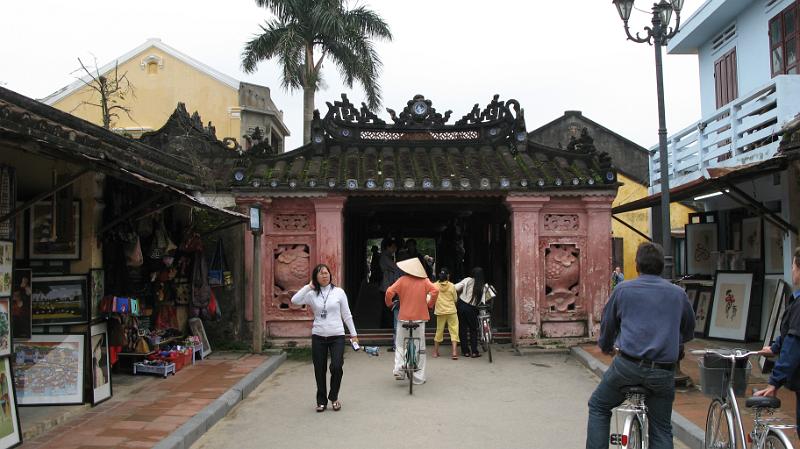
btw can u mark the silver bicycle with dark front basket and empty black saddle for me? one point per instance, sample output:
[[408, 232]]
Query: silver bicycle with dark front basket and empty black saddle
[[724, 429]]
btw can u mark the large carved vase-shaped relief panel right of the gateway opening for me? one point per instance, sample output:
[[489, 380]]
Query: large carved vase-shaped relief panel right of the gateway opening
[[562, 277]]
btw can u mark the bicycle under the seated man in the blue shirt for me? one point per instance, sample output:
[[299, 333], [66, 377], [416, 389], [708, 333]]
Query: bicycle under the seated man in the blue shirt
[[635, 427]]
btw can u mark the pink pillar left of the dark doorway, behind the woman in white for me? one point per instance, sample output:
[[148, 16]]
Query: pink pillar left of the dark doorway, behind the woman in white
[[330, 234]]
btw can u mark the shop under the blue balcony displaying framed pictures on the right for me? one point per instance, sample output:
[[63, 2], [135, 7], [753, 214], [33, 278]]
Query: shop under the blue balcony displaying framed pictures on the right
[[734, 255]]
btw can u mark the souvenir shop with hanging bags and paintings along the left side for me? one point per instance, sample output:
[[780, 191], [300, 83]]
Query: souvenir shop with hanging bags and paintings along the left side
[[103, 269]]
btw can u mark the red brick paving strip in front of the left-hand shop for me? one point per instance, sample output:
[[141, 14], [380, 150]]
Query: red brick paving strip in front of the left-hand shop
[[144, 419]]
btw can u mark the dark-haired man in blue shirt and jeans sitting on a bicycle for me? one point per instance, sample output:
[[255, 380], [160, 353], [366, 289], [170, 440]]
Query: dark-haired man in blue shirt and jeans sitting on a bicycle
[[645, 320]]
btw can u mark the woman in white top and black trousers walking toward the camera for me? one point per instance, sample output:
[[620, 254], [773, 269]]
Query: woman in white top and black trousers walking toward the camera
[[331, 313]]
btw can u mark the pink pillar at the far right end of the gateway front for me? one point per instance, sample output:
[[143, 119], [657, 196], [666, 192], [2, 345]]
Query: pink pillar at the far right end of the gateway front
[[598, 270]]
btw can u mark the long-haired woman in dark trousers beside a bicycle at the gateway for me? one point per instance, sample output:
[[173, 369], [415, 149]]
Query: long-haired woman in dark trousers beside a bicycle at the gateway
[[472, 292]]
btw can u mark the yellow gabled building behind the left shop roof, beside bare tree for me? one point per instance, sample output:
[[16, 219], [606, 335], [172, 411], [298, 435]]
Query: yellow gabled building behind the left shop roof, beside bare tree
[[163, 76]]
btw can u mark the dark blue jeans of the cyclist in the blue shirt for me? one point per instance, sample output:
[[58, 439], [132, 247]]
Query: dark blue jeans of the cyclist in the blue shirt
[[622, 372]]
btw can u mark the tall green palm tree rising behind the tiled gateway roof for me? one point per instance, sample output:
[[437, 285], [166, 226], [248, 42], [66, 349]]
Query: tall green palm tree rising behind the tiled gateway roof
[[302, 26]]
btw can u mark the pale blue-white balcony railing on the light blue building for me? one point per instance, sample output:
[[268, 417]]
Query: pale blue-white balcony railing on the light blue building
[[743, 131]]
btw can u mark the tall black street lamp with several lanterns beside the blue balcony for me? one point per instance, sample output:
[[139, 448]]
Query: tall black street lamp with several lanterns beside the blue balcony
[[658, 36]]
